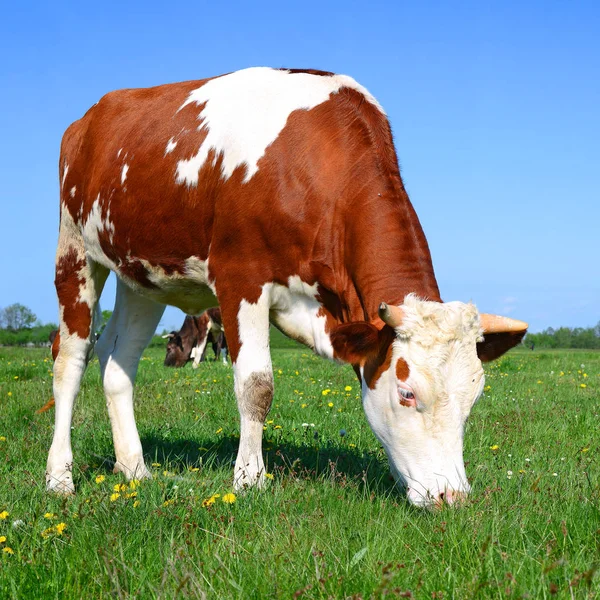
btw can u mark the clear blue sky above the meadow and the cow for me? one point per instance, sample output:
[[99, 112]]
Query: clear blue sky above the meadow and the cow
[[495, 108]]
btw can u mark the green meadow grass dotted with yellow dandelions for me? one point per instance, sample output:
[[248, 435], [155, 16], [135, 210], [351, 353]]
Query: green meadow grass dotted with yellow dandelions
[[330, 523]]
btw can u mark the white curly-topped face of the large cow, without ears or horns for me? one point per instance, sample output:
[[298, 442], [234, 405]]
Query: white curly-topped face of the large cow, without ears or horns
[[418, 406]]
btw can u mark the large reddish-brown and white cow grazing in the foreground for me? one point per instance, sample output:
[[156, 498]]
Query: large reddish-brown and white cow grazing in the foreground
[[275, 193]]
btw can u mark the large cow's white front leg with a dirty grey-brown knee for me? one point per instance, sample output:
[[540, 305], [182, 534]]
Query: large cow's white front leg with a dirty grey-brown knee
[[247, 324]]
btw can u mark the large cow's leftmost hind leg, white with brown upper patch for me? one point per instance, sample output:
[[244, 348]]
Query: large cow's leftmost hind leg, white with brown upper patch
[[79, 282]]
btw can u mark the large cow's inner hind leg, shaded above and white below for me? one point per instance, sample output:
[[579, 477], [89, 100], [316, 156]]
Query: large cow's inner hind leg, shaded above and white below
[[119, 349]]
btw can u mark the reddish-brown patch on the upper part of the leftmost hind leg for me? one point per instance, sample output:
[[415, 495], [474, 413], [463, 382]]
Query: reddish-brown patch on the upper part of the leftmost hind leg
[[77, 315]]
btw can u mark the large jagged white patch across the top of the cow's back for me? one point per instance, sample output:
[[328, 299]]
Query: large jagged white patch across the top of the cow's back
[[245, 112]]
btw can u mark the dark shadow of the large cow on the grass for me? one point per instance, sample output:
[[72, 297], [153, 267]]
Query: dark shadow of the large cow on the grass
[[328, 461]]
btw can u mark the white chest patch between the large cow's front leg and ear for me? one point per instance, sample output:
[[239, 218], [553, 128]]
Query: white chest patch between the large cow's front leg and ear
[[295, 311]]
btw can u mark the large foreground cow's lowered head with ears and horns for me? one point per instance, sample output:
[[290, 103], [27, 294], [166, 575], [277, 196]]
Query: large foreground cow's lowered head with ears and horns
[[421, 374]]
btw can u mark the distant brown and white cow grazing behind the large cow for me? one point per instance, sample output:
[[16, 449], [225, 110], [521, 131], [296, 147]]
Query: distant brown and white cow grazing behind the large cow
[[191, 341]]
